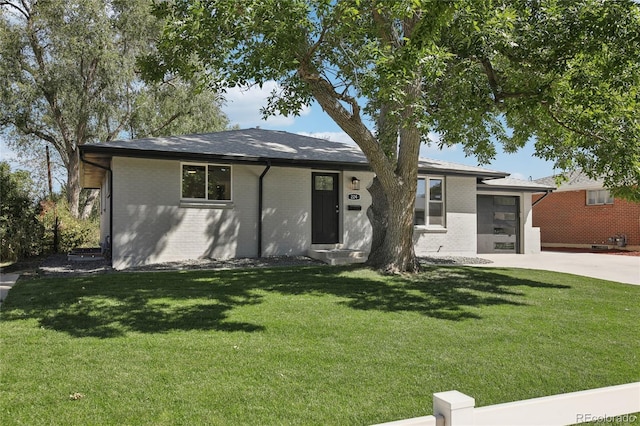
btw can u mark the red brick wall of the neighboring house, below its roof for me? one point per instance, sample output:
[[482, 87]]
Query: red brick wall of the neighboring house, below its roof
[[565, 219]]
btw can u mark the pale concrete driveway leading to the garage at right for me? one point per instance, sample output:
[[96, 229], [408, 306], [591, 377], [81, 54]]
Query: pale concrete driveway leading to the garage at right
[[623, 269]]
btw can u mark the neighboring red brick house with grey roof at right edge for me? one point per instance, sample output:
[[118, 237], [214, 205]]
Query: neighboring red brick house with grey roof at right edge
[[581, 214]]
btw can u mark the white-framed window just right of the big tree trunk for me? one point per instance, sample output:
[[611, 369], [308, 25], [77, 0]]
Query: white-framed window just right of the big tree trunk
[[430, 209]]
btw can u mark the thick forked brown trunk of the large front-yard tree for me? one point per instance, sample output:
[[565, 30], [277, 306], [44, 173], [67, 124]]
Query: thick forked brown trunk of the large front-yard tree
[[394, 187]]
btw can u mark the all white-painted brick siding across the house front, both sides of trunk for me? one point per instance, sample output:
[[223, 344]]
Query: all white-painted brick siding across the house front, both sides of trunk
[[150, 225]]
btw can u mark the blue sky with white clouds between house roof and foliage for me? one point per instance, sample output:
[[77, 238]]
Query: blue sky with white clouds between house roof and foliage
[[243, 109]]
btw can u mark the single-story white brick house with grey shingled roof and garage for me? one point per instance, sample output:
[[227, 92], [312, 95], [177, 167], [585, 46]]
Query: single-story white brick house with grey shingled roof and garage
[[255, 192]]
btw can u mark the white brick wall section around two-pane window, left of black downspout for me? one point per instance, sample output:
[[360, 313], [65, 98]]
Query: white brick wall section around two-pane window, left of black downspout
[[150, 226]]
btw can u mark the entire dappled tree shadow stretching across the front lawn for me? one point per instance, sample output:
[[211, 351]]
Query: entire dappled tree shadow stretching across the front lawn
[[115, 304]]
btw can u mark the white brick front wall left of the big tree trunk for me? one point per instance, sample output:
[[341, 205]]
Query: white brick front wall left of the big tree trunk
[[151, 226]]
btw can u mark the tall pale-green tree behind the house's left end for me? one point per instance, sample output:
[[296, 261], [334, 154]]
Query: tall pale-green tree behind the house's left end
[[71, 78]]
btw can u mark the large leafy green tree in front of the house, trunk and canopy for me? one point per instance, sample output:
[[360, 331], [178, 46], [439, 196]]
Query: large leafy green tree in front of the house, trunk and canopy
[[478, 72]]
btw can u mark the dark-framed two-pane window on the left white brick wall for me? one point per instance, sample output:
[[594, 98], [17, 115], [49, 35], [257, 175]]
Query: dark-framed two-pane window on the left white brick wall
[[206, 182]]
